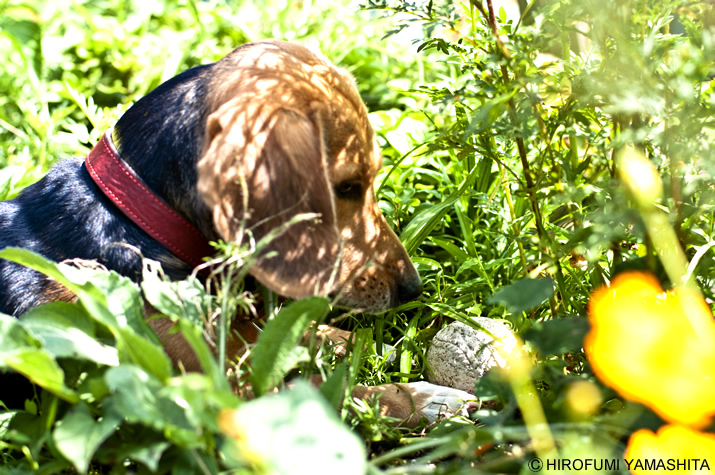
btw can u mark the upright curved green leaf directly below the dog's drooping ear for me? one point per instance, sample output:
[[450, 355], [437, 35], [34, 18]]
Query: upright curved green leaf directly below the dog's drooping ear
[[275, 352]]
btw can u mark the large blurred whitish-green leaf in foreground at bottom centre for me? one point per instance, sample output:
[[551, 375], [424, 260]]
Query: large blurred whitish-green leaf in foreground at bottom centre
[[294, 431]]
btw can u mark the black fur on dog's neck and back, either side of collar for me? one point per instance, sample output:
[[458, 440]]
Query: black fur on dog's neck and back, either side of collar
[[65, 215]]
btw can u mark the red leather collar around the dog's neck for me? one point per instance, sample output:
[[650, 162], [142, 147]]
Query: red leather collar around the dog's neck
[[147, 210]]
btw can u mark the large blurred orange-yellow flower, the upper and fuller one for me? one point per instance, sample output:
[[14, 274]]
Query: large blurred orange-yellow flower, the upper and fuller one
[[643, 343]]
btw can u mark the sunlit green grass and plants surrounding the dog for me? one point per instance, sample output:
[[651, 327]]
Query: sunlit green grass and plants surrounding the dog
[[503, 140]]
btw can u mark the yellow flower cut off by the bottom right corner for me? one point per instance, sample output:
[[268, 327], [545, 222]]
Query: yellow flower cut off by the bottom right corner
[[676, 447]]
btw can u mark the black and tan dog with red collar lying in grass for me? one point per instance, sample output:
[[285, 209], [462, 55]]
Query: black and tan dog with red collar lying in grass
[[270, 132]]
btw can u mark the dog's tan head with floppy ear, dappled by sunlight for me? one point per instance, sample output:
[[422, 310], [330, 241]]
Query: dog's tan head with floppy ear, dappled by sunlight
[[288, 137]]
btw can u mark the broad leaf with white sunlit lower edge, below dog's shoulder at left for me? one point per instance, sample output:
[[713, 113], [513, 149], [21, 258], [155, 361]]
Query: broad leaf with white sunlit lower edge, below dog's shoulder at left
[[67, 332]]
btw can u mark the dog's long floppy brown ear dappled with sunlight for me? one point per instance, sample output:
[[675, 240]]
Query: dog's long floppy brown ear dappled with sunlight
[[274, 161]]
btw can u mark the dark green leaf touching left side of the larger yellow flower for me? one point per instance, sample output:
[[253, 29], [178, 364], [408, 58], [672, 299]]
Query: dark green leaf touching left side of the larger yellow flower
[[559, 336]]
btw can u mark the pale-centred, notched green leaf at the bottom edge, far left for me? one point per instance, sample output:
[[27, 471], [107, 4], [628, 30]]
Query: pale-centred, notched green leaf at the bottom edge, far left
[[79, 435]]
